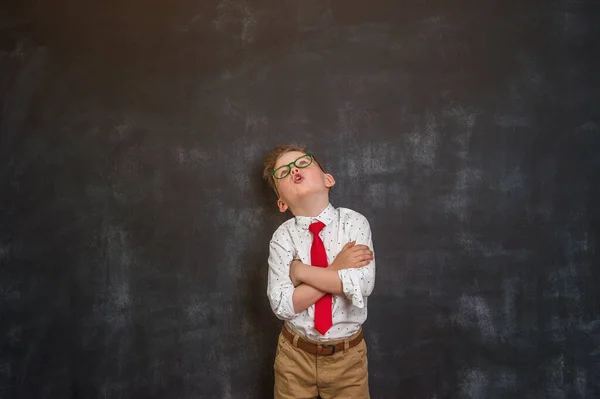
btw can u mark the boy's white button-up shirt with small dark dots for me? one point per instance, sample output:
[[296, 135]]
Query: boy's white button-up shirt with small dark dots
[[292, 240]]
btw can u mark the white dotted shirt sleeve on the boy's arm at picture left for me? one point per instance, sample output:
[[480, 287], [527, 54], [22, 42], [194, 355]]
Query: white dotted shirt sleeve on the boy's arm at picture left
[[280, 287]]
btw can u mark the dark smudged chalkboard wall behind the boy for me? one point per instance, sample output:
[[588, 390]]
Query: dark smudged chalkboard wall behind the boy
[[134, 224]]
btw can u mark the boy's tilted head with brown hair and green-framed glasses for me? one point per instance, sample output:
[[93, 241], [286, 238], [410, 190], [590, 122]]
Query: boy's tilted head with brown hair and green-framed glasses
[[298, 179]]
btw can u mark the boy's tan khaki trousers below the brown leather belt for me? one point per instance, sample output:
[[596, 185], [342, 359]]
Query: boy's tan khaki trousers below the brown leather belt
[[302, 375]]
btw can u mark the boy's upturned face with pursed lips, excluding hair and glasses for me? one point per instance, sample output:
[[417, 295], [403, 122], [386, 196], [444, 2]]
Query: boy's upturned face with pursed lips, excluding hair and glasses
[[302, 183]]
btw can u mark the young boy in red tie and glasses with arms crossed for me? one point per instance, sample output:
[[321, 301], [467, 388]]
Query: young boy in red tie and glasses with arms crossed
[[321, 271]]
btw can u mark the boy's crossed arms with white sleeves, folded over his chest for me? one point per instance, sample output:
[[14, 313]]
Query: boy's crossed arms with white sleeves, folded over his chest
[[294, 286]]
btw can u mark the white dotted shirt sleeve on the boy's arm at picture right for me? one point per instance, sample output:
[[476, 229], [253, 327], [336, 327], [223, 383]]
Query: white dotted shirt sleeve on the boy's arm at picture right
[[358, 283]]
